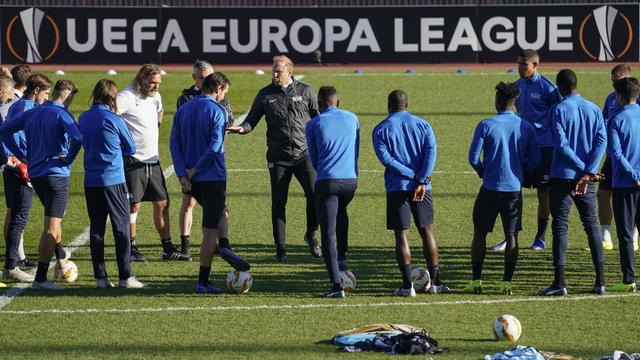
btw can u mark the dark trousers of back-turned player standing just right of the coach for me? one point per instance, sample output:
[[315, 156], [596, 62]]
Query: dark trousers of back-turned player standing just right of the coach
[[332, 198]]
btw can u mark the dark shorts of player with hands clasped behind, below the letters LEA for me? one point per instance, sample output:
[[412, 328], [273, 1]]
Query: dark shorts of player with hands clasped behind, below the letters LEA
[[400, 207]]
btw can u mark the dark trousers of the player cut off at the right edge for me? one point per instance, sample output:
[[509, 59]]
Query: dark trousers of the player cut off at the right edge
[[625, 211]]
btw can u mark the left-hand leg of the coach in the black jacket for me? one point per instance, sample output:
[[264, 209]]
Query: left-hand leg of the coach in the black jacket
[[280, 177]]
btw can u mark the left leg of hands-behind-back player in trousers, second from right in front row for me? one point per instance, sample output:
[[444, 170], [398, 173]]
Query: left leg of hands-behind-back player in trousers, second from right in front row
[[561, 200]]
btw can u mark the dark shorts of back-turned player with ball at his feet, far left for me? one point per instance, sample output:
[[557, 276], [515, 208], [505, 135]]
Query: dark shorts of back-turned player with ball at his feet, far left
[[53, 192]]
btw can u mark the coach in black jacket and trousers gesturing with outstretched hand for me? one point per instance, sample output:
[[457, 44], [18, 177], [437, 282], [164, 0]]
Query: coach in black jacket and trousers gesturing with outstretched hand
[[288, 105]]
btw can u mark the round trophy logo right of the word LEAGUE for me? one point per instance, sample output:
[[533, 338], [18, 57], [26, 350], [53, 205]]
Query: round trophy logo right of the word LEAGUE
[[605, 18]]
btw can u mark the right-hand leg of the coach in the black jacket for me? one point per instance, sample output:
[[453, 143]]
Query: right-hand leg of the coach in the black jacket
[[306, 176]]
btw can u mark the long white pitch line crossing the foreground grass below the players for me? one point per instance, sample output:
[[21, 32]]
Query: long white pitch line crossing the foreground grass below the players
[[317, 306]]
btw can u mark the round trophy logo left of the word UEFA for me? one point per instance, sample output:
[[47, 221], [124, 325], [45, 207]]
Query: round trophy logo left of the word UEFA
[[32, 20]]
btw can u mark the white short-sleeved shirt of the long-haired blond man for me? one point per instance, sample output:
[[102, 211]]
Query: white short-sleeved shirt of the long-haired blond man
[[140, 113]]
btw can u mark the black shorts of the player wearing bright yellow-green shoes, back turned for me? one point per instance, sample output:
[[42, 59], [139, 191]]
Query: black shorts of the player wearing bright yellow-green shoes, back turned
[[490, 203]]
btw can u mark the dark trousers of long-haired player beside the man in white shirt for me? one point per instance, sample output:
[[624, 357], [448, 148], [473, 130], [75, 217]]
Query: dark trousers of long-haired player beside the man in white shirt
[[114, 202]]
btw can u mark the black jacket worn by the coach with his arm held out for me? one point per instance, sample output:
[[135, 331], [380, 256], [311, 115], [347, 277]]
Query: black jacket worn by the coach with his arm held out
[[287, 113]]
